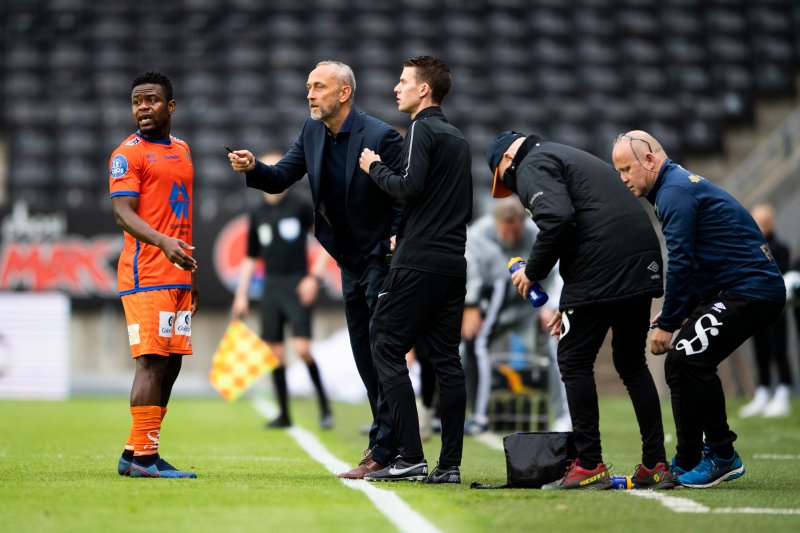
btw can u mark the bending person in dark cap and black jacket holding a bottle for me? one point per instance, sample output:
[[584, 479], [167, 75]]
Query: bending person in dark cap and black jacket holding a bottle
[[612, 268]]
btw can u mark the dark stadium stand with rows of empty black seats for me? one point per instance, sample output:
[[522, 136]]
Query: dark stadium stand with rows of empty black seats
[[577, 72]]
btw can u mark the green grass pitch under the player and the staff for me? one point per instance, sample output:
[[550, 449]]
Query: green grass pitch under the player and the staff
[[58, 473]]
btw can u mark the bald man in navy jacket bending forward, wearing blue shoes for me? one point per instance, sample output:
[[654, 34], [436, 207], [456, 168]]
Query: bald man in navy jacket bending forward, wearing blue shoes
[[723, 284]]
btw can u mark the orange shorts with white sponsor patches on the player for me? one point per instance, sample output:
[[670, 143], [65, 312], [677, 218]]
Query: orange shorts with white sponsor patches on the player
[[159, 322]]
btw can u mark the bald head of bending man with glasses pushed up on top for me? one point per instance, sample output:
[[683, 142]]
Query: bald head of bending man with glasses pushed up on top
[[638, 157]]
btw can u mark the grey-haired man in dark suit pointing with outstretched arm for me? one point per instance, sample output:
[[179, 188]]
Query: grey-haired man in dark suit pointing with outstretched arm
[[353, 218]]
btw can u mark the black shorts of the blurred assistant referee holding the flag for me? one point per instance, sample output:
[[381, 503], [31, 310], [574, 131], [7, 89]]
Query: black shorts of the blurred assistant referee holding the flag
[[279, 305]]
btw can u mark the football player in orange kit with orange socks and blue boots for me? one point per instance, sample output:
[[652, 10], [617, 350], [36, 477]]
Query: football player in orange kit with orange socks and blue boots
[[150, 179]]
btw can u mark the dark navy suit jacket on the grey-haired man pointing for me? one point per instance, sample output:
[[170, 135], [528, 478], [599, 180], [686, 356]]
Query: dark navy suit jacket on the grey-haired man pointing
[[372, 213]]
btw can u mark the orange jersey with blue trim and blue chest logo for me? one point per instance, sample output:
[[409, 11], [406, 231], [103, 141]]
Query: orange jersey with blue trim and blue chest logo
[[160, 174]]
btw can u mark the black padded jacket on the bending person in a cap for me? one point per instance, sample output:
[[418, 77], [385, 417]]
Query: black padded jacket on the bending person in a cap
[[589, 221]]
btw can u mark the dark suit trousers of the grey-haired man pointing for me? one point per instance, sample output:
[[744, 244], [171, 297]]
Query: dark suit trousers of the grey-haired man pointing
[[360, 287]]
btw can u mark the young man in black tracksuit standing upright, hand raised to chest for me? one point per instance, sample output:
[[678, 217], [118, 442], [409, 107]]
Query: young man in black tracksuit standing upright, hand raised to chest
[[422, 301]]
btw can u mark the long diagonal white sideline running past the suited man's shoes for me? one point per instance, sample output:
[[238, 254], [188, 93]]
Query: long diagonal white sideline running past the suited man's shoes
[[399, 513]]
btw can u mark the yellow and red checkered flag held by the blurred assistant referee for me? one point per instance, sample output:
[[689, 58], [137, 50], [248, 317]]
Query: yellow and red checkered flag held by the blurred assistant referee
[[240, 359]]
